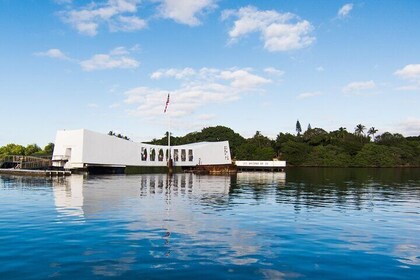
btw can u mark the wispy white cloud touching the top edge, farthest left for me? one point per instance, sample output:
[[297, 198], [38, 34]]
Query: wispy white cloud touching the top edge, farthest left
[[118, 14]]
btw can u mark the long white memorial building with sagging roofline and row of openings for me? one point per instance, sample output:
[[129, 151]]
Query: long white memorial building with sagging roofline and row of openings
[[78, 149]]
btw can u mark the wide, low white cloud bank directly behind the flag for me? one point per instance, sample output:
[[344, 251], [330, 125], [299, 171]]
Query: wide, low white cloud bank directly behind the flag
[[197, 88]]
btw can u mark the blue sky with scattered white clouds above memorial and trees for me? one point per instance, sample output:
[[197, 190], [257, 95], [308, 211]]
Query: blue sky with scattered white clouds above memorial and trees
[[249, 65]]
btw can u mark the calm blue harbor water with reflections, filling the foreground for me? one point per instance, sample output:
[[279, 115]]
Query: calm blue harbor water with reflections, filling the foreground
[[305, 223]]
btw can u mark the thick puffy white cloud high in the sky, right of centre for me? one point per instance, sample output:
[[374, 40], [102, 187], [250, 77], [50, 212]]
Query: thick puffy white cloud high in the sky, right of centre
[[279, 31]]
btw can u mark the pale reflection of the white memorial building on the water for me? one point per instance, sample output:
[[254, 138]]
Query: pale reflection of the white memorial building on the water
[[78, 196]]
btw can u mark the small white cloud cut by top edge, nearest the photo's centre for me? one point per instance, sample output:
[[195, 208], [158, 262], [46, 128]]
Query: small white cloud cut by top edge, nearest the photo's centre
[[185, 11]]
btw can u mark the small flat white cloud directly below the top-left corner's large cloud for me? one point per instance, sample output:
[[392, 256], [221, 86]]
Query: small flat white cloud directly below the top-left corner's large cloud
[[116, 58]]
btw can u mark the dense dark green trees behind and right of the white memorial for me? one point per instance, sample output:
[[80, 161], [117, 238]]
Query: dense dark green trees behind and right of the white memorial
[[315, 146]]
